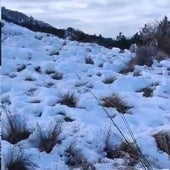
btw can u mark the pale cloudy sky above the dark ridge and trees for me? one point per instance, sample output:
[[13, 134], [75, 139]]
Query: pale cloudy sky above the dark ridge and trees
[[106, 17]]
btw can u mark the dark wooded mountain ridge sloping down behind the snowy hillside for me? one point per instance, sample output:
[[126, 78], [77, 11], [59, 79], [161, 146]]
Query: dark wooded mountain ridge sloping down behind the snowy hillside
[[70, 33]]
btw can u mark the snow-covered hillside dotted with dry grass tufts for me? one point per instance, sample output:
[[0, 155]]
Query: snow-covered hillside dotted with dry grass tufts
[[40, 70]]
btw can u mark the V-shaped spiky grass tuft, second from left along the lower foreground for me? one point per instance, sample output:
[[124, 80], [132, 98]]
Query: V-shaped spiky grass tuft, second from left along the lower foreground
[[46, 140]]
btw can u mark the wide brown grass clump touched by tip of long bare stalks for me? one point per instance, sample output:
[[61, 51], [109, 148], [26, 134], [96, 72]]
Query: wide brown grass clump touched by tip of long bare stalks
[[116, 102]]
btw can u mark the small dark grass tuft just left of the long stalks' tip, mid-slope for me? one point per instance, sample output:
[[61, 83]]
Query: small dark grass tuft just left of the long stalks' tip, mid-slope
[[68, 99]]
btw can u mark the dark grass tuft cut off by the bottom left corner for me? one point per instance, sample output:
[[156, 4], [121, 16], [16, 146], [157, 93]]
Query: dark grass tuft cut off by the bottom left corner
[[17, 160]]
